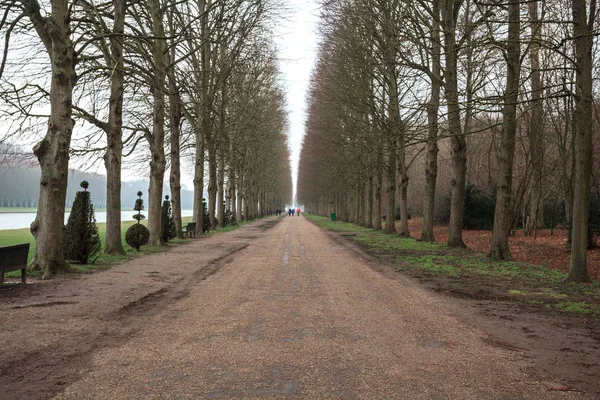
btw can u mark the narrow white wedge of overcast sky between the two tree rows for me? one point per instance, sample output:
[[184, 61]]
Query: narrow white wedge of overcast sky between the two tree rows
[[296, 38]]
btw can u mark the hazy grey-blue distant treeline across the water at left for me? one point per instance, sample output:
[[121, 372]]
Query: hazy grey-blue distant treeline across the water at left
[[20, 187]]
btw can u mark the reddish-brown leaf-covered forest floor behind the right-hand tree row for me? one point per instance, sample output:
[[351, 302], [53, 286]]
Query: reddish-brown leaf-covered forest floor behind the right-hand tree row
[[547, 248]]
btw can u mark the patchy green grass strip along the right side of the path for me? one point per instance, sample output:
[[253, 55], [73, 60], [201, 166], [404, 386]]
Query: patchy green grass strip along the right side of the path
[[468, 272]]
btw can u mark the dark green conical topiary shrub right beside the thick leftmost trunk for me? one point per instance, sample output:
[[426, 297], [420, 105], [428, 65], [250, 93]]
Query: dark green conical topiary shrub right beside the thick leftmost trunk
[[81, 241]]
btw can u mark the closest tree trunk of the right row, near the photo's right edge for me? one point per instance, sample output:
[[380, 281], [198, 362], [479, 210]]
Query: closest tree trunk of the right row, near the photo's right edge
[[583, 28]]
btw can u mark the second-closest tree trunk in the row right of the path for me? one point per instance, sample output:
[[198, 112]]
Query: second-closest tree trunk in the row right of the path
[[500, 249]]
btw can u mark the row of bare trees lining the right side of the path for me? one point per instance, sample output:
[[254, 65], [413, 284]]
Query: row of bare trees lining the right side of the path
[[407, 82]]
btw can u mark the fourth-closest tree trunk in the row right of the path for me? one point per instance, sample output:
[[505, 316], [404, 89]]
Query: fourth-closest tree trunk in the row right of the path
[[431, 165]]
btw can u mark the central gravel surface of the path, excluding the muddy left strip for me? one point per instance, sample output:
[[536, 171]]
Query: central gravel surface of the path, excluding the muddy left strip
[[299, 315]]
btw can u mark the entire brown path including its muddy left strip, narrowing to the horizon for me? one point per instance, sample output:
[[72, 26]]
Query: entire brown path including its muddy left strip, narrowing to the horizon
[[286, 312]]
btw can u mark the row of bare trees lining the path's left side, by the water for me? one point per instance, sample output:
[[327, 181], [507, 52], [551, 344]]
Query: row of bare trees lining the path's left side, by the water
[[168, 83]]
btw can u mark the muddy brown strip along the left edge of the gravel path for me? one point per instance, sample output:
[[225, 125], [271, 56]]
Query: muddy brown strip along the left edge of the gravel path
[[50, 330]]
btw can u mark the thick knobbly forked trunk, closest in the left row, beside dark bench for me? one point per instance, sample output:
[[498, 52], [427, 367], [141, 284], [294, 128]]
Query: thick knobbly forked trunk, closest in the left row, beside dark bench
[[52, 152]]
